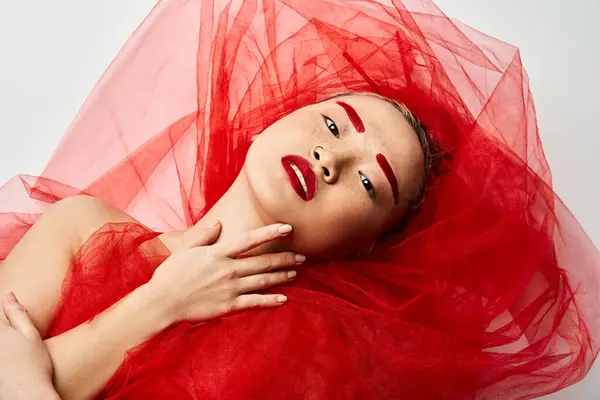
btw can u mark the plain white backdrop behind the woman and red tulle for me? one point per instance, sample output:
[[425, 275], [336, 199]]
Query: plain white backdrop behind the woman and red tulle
[[53, 52]]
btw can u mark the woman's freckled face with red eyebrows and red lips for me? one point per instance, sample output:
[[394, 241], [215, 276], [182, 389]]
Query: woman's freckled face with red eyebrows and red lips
[[340, 172]]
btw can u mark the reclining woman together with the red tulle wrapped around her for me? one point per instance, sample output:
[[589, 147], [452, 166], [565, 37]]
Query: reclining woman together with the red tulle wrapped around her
[[489, 291]]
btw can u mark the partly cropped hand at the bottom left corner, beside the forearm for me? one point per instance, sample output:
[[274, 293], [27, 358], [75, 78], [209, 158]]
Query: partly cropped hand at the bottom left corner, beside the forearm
[[25, 365]]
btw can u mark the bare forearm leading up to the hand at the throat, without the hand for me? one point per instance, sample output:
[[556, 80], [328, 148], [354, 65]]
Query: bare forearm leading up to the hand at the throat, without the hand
[[85, 357]]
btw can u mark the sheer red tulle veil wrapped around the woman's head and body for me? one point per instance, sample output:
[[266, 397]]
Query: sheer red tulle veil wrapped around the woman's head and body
[[490, 291]]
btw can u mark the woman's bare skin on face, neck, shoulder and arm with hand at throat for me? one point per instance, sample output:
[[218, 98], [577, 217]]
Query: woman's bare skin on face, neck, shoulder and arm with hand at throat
[[205, 266]]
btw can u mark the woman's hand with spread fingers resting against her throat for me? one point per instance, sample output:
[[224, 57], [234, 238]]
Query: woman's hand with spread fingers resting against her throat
[[207, 282]]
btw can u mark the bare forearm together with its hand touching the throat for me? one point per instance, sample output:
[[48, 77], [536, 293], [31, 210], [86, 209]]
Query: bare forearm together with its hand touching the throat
[[210, 283]]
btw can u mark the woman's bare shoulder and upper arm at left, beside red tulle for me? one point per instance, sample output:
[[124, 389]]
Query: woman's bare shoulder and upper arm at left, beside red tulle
[[35, 268]]
